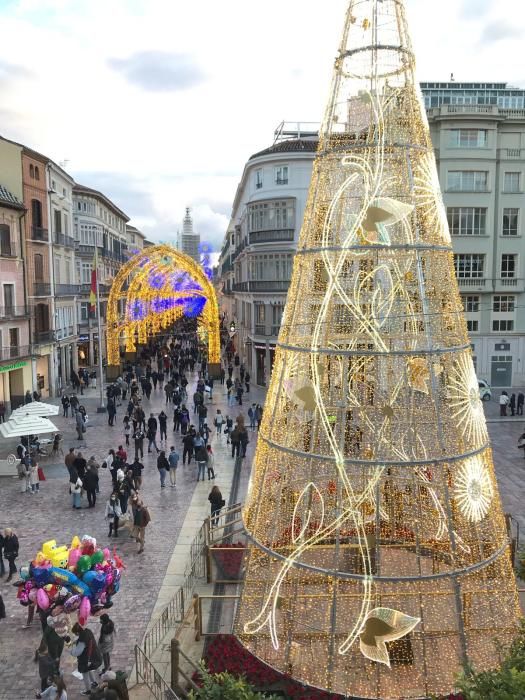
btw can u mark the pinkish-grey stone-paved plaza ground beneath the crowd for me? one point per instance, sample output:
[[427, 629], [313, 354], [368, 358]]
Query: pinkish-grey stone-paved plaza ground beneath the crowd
[[49, 515]]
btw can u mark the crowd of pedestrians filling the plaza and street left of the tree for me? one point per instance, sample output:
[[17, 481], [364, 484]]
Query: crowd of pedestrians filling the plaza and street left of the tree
[[184, 433]]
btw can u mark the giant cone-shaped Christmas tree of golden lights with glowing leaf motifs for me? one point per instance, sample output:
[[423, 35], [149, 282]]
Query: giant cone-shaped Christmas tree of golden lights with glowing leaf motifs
[[379, 557]]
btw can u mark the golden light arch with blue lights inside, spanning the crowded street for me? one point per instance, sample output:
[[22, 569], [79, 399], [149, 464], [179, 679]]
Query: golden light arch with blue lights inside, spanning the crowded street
[[160, 285]]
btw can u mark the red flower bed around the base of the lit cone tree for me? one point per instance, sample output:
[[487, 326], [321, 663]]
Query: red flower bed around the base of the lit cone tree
[[226, 653]]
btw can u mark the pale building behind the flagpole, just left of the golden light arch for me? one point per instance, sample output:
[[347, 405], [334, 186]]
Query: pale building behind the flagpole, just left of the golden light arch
[[98, 224]]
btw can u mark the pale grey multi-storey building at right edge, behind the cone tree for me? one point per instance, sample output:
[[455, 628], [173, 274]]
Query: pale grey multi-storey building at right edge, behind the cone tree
[[478, 131]]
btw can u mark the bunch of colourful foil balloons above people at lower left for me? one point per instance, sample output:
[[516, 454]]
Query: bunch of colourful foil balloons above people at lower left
[[81, 578]]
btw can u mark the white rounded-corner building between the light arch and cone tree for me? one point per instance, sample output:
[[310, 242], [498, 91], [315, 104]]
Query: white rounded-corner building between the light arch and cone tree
[[256, 259]]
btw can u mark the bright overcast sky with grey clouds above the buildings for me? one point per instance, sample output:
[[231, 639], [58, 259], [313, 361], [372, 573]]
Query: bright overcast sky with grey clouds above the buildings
[[159, 103]]
